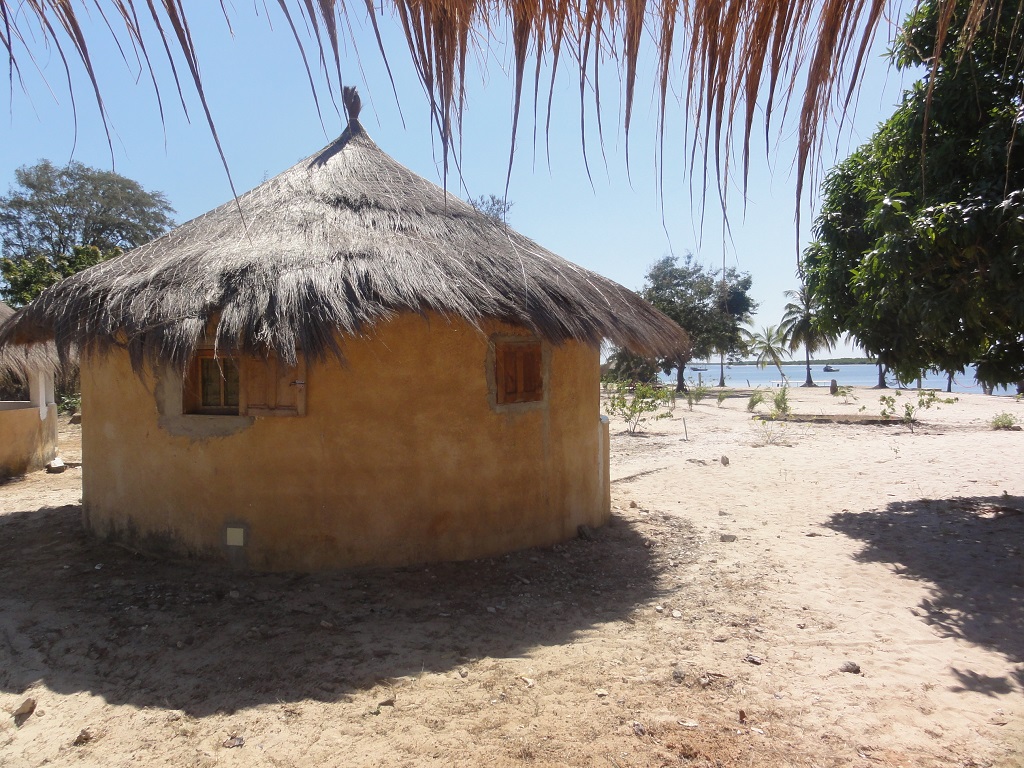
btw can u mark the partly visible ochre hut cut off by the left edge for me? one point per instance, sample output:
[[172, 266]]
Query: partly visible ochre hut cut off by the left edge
[[28, 428]]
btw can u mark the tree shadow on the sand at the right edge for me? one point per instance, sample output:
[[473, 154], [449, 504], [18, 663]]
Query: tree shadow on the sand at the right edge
[[971, 550]]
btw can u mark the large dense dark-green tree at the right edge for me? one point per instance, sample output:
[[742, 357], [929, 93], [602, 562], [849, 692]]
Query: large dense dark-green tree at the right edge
[[918, 245]]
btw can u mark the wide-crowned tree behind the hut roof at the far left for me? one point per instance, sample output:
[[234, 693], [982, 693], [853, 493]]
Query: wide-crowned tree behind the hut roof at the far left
[[59, 221]]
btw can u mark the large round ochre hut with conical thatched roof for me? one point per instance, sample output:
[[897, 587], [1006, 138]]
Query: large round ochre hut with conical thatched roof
[[345, 367]]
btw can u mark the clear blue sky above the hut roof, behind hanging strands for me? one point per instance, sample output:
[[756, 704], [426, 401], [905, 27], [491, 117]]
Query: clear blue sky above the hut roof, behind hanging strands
[[614, 223]]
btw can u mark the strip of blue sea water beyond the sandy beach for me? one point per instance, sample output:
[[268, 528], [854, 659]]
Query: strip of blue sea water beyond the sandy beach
[[858, 375]]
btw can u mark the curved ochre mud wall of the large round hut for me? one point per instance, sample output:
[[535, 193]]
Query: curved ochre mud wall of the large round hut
[[403, 457]]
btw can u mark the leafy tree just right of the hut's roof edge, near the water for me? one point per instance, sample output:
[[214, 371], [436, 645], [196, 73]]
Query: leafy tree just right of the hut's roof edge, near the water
[[709, 309]]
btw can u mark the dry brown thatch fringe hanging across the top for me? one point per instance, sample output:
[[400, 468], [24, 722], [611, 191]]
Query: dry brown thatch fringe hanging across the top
[[729, 59]]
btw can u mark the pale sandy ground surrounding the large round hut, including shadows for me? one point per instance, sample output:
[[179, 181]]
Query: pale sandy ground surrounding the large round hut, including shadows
[[708, 625]]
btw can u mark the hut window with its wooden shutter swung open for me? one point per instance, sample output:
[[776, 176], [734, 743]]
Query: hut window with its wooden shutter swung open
[[248, 387]]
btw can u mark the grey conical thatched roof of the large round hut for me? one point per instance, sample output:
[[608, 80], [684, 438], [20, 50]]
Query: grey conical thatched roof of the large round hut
[[347, 239]]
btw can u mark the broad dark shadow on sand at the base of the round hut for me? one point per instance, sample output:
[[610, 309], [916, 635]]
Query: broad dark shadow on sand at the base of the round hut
[[78, 614]]
